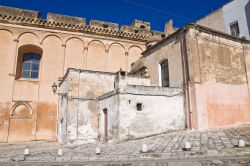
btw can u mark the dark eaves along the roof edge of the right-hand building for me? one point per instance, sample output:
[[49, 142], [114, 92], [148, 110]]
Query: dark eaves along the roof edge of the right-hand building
[[200, 28]]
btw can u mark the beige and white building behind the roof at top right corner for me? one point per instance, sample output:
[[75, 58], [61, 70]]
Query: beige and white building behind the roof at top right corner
[[233, 18]]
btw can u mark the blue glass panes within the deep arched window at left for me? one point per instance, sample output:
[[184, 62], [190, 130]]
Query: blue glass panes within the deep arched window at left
[[30, 65]]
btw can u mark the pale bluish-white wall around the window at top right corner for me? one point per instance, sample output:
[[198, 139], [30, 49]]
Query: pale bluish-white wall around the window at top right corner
[[236, 11]]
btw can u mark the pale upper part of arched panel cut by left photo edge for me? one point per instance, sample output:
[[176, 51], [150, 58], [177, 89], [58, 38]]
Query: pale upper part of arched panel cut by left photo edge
[[7, 55]]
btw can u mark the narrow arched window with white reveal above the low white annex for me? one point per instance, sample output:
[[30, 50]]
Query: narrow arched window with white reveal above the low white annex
[[164, 73]]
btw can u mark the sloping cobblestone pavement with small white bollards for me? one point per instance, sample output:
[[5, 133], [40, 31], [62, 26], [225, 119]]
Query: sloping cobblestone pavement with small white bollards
[[211, 146]]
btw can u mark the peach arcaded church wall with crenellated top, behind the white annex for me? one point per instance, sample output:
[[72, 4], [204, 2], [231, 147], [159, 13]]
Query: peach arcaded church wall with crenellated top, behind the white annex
[[62, 42]]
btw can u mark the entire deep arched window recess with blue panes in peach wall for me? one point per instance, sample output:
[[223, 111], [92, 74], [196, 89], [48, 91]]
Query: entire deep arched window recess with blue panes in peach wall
[[28, 63]]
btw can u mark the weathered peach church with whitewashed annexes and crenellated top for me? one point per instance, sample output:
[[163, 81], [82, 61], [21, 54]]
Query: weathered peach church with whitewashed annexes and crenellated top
[[64, 80]]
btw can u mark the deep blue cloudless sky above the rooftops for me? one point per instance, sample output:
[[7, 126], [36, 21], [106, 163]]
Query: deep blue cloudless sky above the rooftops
[[157, 12]]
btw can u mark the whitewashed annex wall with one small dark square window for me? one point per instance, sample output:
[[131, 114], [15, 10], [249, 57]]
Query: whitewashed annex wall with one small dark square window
[[159, 114]]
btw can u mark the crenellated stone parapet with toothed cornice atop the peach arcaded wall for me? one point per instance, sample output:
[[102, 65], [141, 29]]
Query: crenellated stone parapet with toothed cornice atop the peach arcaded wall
[[138, 30]]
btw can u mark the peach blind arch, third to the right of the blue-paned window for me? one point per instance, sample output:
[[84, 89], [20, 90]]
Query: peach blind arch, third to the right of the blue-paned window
[[96, 58]]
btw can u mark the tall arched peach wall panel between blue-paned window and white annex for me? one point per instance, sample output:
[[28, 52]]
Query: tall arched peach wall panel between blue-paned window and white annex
[[51, 71]]
